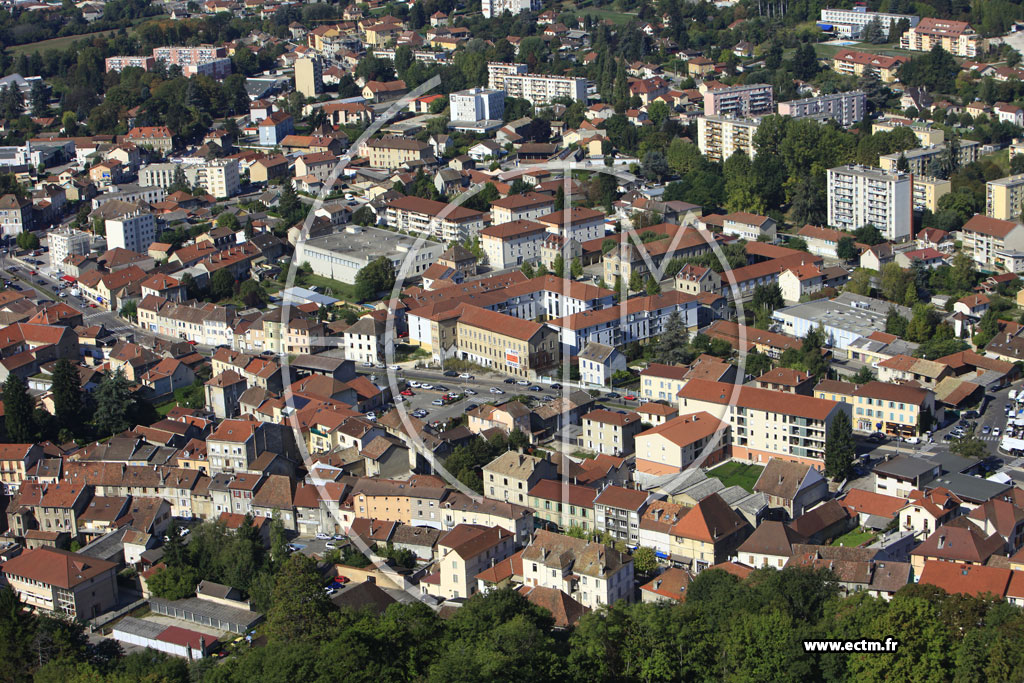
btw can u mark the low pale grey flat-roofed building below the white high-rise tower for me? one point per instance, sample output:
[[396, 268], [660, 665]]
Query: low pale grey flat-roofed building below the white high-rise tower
[[845, 319]]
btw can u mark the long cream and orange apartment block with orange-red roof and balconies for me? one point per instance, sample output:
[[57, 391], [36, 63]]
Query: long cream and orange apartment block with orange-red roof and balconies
[[765, 424]]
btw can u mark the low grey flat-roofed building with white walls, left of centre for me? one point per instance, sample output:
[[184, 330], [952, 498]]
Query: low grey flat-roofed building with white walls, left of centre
[[342, 255]]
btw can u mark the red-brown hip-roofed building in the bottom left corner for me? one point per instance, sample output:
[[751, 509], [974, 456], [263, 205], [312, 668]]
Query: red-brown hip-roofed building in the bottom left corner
[[64, 583]]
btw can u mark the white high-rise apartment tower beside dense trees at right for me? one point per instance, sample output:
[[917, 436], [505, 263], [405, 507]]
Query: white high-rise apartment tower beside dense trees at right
[[862, 196]]
